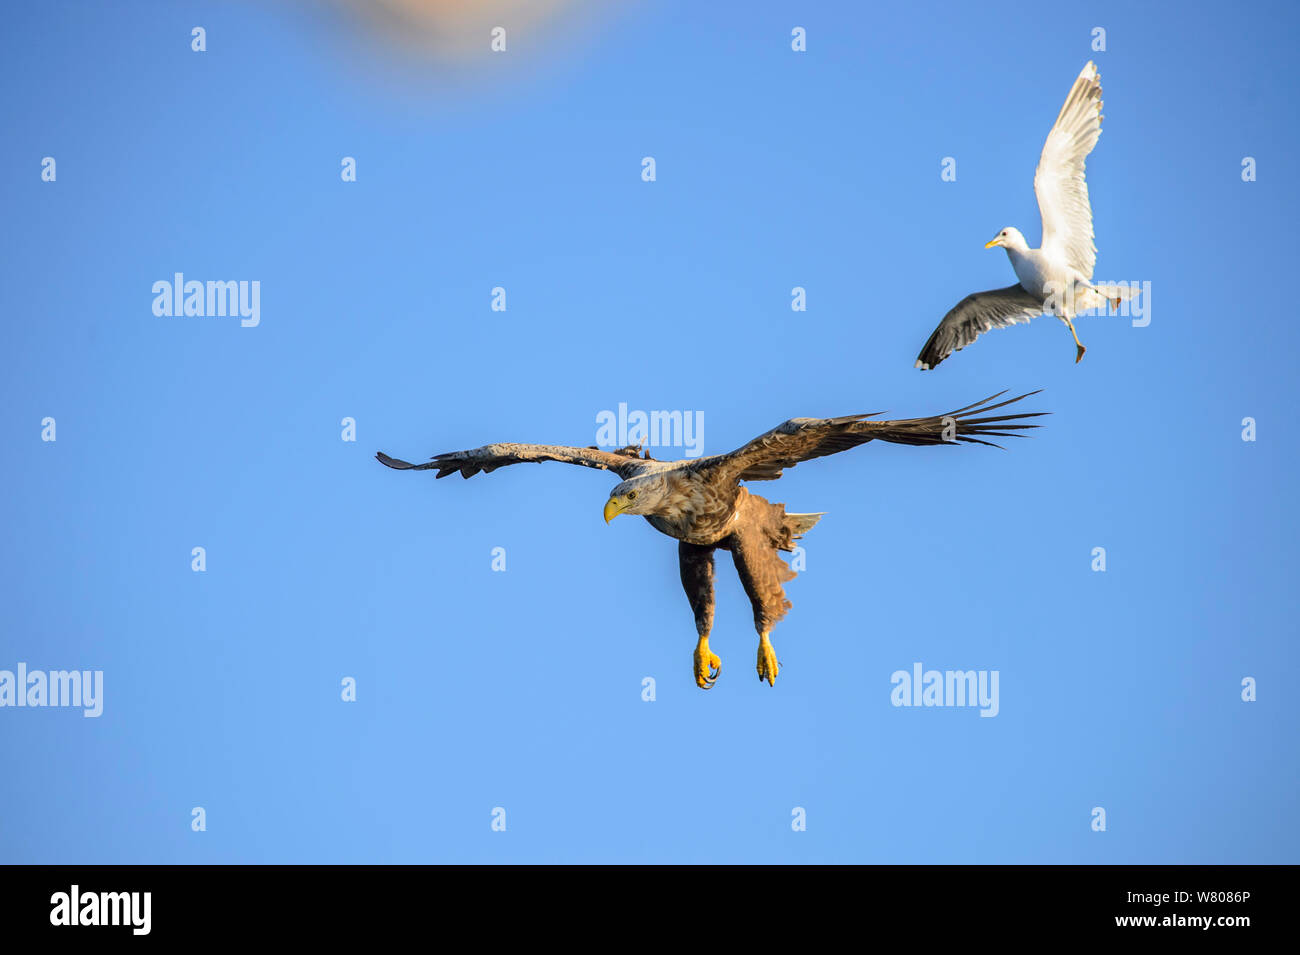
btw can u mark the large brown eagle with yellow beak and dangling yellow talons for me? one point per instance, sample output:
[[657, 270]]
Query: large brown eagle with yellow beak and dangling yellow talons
[[701, 502]]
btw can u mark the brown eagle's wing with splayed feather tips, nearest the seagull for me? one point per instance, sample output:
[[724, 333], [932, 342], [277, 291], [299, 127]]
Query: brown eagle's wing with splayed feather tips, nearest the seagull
[[801, 440]]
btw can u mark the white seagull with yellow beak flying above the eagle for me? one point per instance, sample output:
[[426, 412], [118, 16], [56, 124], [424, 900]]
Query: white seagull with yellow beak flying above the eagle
[[1056, 279]]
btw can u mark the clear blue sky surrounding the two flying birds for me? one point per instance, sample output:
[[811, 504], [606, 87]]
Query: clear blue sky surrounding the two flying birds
[[480, 689]]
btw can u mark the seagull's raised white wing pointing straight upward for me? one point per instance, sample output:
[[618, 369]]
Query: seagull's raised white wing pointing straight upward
[[1059, 183]]
